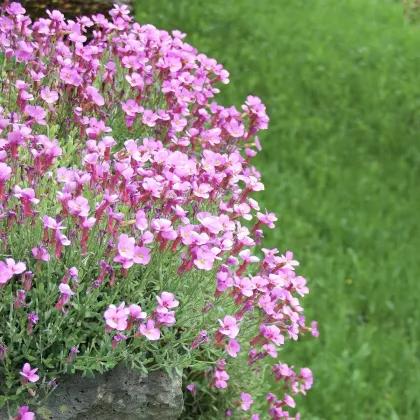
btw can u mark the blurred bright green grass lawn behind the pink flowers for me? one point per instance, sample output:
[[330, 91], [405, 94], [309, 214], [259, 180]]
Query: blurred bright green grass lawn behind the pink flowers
[[341, 165]]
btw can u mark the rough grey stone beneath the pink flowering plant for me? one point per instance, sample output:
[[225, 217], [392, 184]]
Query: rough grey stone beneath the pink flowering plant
[[120, 394]]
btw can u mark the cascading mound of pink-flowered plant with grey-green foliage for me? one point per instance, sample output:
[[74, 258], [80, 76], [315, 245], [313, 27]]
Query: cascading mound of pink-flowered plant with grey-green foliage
[[127, 227]]
